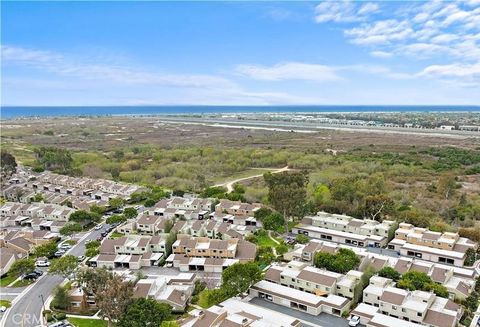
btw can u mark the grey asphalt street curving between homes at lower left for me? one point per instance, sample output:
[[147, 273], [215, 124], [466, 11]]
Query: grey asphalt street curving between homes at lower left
[[27, 307]]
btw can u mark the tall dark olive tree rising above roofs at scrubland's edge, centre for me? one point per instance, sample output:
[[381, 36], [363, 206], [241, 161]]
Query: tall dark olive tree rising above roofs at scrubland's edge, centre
[[287, 193]]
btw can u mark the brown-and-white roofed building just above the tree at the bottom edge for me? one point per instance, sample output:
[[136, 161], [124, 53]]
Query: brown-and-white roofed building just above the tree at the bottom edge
[[173, 290]]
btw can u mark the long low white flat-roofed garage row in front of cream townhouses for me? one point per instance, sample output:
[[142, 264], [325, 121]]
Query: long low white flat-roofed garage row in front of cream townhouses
[[300, 300]]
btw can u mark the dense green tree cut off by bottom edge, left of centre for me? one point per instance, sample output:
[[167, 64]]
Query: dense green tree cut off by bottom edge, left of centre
[[145, 313]]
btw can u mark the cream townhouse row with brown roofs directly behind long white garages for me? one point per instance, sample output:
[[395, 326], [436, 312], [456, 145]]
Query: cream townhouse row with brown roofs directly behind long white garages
[[313, 280]]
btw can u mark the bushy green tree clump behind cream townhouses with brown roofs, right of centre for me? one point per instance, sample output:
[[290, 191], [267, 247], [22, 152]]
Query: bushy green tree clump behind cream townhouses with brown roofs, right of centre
[[341, 262]]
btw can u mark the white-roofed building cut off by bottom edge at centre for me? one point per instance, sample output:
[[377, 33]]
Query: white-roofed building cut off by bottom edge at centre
[[234, 312]]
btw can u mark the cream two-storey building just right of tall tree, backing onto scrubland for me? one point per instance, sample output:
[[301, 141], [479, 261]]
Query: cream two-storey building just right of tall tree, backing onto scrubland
[[349, 224]]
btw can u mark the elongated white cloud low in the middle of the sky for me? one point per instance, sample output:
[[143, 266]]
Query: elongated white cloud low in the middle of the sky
[[289, 71]]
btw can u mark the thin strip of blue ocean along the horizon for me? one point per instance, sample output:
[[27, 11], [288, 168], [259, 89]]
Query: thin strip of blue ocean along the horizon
[[10, 112]]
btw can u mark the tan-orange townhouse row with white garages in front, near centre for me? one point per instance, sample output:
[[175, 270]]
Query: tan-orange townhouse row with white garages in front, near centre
[[211, 255]]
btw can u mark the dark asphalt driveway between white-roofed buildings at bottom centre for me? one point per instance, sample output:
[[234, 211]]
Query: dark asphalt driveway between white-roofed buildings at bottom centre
[[323, 319]]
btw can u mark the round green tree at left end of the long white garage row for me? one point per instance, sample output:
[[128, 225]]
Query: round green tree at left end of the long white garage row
[[239, 277]]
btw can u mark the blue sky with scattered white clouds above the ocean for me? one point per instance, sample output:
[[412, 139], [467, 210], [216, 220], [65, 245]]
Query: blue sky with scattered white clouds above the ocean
[[240, 53]]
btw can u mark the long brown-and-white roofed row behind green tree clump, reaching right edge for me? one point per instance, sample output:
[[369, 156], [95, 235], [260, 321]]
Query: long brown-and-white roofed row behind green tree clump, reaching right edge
[[459, 281]]
